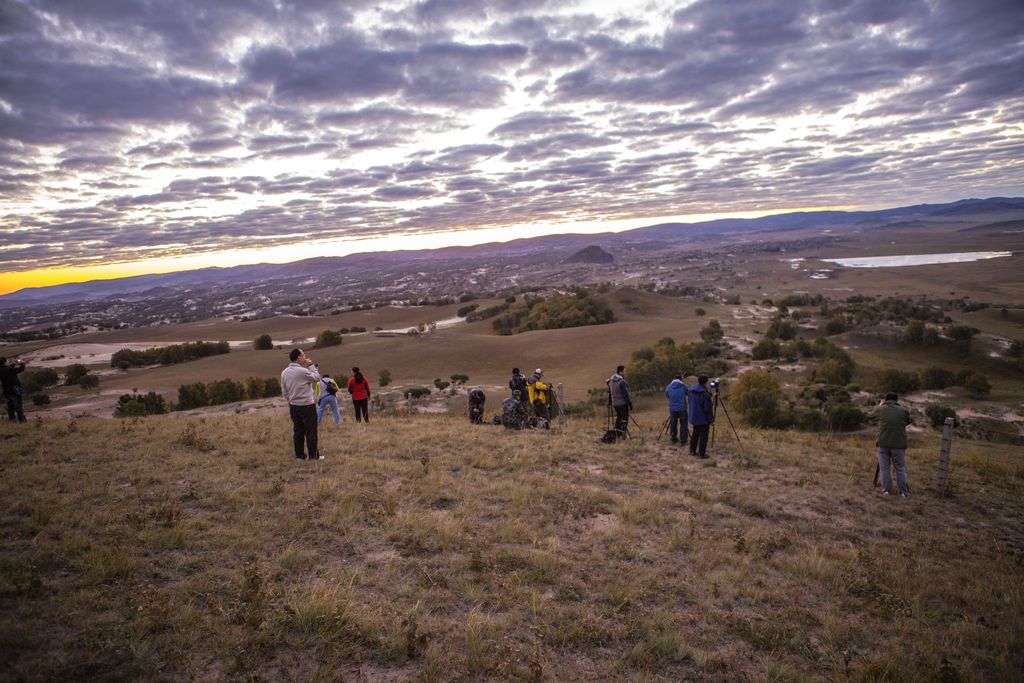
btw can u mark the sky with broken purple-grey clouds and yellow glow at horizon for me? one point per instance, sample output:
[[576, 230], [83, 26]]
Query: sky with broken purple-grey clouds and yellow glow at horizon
[[228, 132]]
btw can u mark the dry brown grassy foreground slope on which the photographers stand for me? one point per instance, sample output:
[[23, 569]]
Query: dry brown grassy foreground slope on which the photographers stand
[[425, 549]]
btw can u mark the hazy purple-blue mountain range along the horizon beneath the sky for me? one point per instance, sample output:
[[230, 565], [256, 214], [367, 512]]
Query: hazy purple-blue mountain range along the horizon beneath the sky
[[205, 278]]
